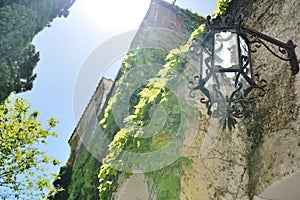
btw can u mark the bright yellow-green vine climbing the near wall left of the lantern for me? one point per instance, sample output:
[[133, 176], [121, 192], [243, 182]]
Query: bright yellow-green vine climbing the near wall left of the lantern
[[165, 182]]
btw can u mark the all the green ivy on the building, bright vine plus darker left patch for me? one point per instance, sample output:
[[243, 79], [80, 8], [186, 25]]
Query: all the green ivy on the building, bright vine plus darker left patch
[[165, 182]]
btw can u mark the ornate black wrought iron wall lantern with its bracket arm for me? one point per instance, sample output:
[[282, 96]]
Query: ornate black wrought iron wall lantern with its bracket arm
[[225, 76]]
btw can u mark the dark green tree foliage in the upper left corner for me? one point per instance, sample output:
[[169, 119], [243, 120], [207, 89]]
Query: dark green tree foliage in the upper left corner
[[20, 21]]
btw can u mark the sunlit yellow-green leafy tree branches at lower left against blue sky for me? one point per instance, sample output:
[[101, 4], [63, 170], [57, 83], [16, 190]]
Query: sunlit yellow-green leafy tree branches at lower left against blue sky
[[23, 166]]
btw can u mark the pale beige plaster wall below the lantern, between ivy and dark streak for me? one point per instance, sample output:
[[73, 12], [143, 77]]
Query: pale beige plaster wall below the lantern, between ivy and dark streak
[[219, 168]]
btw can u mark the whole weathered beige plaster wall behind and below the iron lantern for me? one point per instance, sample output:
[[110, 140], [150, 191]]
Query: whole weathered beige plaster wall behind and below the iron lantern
[[264, 148]]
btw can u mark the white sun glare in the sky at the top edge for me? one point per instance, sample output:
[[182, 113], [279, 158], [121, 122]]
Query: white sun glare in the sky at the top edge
[[115, 15]]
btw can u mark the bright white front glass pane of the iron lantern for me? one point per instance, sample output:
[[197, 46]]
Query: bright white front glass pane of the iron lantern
[[226, 49]]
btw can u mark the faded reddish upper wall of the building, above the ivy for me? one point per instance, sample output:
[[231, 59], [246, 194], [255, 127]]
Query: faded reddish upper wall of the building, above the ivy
[[165, 26]]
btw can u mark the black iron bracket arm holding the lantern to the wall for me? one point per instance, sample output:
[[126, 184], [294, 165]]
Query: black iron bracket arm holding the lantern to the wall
[[289, 47]]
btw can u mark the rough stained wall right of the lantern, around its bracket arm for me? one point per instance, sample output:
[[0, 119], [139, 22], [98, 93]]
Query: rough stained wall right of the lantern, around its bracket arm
[[278, 154]]
